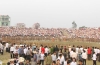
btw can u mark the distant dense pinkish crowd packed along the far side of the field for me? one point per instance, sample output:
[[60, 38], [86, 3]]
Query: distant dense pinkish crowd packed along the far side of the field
[[71, 33]]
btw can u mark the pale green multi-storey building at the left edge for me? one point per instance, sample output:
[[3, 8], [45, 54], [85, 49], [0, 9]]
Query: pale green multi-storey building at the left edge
[[4, 20]]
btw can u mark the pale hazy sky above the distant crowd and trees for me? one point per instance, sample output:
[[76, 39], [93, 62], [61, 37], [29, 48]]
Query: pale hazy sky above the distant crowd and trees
[[52, 13]]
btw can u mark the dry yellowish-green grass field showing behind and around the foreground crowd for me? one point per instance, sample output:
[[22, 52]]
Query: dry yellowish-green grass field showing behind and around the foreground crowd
[[4, 58]]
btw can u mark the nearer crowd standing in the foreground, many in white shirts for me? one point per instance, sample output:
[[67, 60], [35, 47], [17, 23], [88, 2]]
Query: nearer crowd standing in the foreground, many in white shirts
[[24, 54]]
